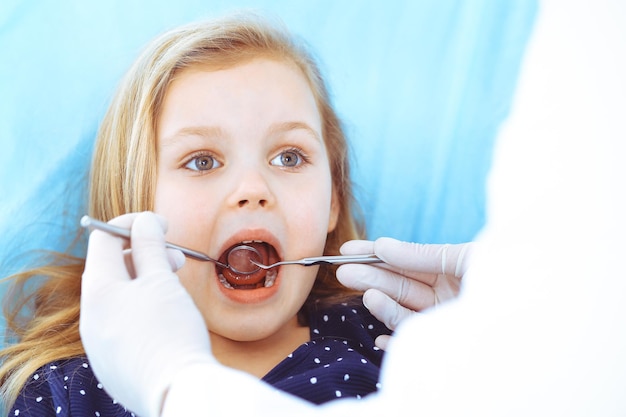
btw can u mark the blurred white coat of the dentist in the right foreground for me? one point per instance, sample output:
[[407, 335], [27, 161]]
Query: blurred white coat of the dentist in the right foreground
[[540, 327]]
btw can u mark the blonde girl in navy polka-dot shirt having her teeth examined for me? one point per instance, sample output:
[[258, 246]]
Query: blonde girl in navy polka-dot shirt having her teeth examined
[[225, 129]]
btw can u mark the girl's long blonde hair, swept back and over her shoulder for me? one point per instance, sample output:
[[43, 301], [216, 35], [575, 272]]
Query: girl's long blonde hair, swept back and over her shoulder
[[123, 177]]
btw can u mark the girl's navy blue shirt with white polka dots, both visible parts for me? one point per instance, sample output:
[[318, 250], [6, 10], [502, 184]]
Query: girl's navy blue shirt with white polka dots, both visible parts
[[339, 361]]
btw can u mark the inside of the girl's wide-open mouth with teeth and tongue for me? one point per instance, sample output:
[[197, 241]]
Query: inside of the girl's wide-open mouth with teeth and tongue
[[243, 274]]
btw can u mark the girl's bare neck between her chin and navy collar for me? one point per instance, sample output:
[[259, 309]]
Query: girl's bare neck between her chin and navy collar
[[260, 356]]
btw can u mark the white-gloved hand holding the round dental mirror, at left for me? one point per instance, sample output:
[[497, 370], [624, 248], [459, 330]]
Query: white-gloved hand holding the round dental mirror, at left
[[139, 326]]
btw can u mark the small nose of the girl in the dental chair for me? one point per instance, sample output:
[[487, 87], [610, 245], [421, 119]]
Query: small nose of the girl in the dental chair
[[252, 190]]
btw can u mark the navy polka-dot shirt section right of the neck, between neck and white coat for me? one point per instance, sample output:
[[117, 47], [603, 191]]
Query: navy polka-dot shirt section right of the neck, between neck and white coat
[[341, 359]]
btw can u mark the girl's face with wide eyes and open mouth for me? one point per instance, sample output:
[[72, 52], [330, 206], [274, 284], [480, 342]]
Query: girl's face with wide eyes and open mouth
[[242, 159]]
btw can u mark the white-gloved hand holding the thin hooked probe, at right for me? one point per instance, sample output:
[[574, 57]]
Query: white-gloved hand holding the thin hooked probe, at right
[[414, 277]]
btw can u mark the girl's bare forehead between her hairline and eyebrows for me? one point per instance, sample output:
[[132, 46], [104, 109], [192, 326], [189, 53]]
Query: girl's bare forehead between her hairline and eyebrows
[[255, 91]]
